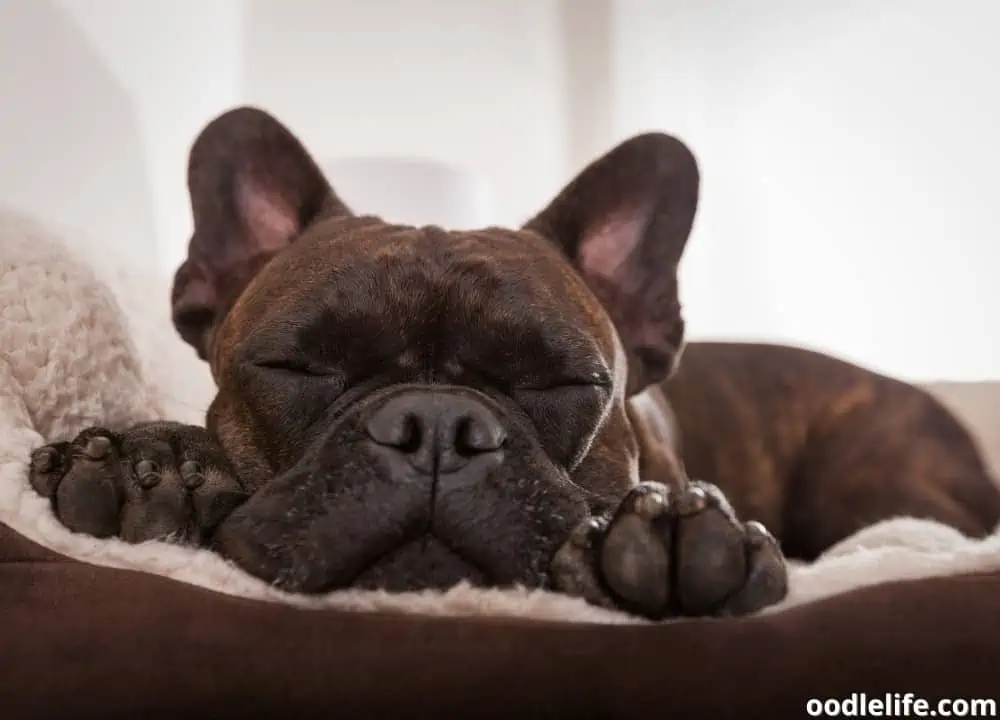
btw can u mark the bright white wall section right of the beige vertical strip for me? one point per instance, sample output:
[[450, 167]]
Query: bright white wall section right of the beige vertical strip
[[850, 155]]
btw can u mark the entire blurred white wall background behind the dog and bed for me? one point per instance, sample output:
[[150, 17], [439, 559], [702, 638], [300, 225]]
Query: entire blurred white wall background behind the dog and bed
[[848, 149]]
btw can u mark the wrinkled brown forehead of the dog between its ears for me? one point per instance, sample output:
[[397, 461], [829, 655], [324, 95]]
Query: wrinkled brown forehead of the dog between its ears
[[490, 270]]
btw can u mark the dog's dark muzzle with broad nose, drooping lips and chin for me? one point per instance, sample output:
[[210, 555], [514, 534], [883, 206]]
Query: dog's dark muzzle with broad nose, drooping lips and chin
[[413, 487]]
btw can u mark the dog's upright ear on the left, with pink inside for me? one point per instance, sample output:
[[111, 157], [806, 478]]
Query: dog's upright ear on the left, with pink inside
[[253, 189]]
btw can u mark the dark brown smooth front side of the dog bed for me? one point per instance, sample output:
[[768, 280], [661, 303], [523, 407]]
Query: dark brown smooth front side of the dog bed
[[84, 641]]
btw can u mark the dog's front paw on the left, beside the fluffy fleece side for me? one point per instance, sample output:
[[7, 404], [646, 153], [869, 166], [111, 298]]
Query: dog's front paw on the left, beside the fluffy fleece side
[[156, 481]]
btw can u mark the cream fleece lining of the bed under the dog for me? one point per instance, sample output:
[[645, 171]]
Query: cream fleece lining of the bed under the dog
[[85, 343]]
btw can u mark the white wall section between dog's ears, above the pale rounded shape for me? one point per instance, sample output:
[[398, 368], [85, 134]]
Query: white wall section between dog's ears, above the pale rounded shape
[[476, 85]]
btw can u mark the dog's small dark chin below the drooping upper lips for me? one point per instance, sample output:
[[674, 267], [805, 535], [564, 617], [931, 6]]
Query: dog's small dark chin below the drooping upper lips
[[422, 564]]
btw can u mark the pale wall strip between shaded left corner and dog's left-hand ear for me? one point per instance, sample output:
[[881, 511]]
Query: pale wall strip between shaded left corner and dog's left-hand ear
[[180, 62]]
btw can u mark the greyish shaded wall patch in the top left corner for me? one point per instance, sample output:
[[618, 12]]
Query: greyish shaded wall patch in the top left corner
[[71, 150]]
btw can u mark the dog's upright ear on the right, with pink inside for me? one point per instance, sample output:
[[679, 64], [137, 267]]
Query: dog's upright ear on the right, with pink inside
[[624, 222]]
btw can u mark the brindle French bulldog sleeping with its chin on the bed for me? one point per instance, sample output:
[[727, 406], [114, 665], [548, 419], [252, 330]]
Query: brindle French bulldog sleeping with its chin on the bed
[[404, 407]]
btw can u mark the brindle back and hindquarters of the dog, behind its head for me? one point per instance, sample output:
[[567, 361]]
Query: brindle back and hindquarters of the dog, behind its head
[[817, 448]]
